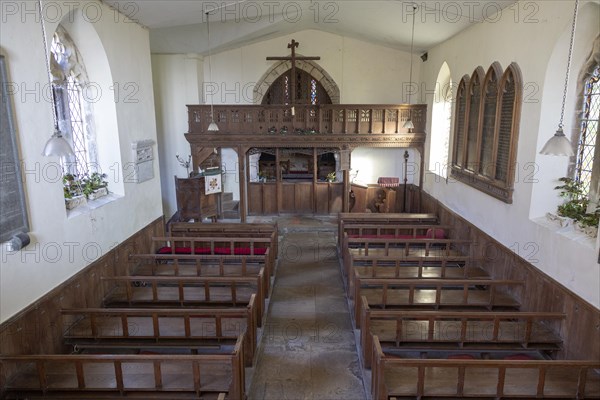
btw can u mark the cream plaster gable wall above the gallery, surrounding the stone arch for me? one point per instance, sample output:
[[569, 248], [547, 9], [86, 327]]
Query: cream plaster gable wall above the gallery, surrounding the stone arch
[[364, 72]]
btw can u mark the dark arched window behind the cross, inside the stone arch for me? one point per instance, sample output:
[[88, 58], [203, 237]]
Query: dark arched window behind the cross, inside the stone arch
[[308, 90]]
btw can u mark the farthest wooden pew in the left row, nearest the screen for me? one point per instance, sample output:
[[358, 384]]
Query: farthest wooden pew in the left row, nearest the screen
[[240, 230]]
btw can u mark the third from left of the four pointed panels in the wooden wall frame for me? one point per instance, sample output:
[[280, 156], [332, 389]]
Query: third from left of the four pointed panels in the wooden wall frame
[[488, 130]]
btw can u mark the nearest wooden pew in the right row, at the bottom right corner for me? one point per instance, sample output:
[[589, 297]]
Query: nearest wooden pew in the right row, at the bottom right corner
[[397, 378]]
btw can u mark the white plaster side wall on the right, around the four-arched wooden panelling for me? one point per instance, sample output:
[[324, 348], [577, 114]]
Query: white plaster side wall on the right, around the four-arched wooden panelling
[[534, 43]]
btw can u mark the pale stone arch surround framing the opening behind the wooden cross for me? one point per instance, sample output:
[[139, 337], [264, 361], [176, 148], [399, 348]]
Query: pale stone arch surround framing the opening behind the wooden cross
[[278, 69]]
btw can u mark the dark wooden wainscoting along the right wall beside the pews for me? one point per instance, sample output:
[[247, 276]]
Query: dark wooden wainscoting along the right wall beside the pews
[[580, 330]]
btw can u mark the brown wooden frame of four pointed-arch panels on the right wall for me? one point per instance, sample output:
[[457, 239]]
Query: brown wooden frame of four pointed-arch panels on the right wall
[[493, 111]]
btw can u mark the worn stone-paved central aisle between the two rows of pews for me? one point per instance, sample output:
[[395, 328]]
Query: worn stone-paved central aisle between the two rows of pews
[[308, 348]]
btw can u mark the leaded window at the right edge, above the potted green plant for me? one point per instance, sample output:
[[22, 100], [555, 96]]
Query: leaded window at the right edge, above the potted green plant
[[588, 138]]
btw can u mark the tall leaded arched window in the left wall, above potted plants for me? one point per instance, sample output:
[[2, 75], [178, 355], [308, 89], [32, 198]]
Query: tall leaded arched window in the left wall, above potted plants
[[74, 112]]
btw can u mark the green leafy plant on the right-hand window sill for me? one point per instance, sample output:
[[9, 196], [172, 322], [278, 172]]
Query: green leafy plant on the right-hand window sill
[[576, 203]]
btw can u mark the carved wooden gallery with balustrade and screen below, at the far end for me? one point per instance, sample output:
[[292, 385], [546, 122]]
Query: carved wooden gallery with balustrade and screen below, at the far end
[[296, 159]]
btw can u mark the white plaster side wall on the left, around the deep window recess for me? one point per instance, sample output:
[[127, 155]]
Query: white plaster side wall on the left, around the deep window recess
[[63, 246]]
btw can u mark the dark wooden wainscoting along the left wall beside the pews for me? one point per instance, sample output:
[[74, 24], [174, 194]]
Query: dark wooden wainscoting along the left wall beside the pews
[[37, 329]]
